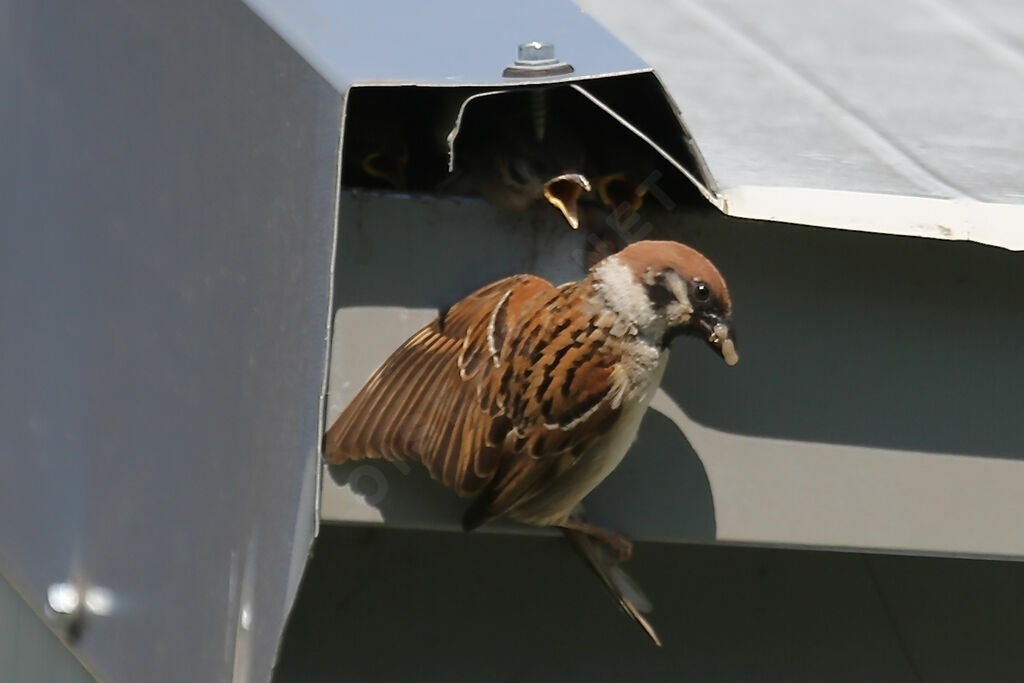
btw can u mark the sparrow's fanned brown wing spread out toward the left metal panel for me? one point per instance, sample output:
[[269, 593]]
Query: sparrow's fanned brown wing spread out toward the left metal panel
[[422, 404]]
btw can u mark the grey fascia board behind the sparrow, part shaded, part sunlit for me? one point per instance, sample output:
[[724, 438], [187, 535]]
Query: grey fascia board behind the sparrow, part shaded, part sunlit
[[874, 406]]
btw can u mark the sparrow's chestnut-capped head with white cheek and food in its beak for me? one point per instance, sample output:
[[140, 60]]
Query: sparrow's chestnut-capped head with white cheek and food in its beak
[[667, 290]]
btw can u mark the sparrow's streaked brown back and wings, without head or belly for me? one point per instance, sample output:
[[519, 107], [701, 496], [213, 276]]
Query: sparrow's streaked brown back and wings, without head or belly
[[500, 394]]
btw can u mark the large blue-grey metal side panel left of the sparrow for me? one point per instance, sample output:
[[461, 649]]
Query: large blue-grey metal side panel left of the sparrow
[[169, 198]]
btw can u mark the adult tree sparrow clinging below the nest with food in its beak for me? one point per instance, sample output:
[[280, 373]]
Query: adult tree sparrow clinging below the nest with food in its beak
[[527, 395]]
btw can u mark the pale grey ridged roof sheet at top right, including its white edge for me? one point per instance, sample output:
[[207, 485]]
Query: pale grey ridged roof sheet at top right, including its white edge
[[821, 113]]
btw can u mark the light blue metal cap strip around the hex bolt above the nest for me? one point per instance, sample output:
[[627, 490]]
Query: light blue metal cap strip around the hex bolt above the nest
[[443, 42]]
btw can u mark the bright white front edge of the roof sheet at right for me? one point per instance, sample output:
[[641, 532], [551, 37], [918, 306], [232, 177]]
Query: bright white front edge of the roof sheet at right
[[961, 219]]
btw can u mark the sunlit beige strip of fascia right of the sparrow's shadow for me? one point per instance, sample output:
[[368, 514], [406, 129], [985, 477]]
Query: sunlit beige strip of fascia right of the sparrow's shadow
[[773, 492]]
